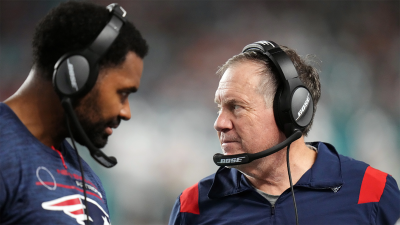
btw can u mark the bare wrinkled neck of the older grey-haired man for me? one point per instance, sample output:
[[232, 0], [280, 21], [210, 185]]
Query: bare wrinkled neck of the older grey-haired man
[[270, 175]]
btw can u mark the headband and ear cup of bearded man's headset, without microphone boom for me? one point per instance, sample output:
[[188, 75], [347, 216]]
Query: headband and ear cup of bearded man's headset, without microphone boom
[[76, 72]]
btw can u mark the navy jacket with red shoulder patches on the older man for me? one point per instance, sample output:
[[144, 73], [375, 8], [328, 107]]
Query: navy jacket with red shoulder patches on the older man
[[336, 190]]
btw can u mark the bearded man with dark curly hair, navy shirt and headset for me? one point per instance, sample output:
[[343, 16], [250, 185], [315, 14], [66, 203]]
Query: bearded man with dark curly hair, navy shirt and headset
[[93, 51]]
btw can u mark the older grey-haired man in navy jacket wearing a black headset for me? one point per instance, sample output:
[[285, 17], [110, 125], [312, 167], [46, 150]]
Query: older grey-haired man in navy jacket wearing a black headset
[[267, 96]]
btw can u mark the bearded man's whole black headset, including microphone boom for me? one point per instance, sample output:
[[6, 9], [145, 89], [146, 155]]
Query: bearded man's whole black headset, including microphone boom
[[76, 72]]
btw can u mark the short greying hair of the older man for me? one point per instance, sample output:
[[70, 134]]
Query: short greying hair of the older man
[[268, 85]]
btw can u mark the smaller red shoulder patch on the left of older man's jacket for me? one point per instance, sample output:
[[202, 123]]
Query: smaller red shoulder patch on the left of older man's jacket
[[190, 200]]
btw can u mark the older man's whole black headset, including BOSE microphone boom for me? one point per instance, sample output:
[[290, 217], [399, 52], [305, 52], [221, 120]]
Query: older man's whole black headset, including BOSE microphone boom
[[293, 104]]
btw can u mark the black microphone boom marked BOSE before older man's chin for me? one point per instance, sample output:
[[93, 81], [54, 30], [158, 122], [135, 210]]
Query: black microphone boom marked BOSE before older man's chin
[[231, 160]]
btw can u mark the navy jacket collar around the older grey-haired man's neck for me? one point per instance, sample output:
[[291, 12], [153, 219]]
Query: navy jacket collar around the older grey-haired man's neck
[[325, 173]]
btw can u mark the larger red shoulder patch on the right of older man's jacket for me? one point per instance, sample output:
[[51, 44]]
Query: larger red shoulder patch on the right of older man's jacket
[[372, 186]]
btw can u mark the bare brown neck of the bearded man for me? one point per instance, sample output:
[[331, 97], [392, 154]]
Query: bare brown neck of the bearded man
[[38, 107]]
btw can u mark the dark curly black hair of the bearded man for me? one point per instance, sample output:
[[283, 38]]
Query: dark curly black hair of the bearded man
[[73, 26]]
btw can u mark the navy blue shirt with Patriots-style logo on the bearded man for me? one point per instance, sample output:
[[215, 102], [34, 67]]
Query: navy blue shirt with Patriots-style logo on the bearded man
[[41, 185]]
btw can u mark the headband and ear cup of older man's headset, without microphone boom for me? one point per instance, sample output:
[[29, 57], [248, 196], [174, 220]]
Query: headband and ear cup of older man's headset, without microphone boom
[[293, 104]]
